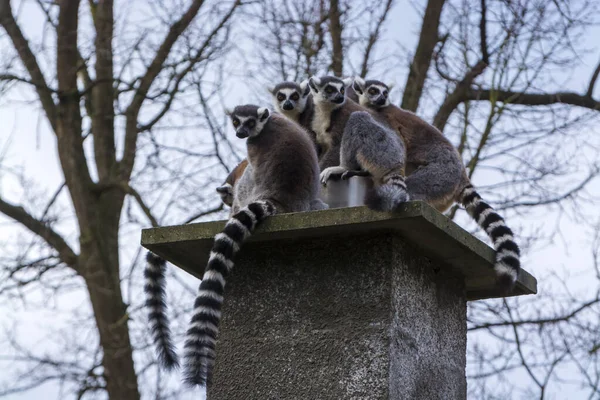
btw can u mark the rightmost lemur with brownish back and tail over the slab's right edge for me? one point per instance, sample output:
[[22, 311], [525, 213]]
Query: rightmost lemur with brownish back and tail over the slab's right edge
[[436, 174]]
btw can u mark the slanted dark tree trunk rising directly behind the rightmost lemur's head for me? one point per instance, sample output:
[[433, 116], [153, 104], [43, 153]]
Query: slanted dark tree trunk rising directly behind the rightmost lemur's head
[[422, 59]]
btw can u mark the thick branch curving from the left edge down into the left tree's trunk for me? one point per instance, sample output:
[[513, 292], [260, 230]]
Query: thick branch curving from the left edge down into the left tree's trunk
[[17, 213]]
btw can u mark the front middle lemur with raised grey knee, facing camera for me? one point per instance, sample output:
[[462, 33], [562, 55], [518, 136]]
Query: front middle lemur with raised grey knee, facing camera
[[356, 143]]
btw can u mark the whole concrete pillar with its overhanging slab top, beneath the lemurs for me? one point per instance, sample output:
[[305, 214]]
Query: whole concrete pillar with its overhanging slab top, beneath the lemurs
[[344, 303]]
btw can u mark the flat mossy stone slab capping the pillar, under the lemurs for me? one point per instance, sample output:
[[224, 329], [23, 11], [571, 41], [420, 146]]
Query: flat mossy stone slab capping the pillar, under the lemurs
[[419, 224]]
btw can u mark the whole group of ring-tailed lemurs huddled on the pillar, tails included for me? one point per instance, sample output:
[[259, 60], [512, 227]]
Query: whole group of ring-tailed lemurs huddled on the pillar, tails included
[[323, 128]]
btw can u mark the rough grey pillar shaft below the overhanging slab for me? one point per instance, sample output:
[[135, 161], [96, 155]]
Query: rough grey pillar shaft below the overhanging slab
[[361, 317]]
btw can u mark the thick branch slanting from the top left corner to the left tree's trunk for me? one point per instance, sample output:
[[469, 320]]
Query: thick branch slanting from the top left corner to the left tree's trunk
[[7, 21]]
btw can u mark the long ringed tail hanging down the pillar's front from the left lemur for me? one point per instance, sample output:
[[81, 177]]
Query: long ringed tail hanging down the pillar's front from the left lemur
[[201, 337]]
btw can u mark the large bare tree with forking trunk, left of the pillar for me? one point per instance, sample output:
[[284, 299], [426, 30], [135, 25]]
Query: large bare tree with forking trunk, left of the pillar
[[93, 94]]
